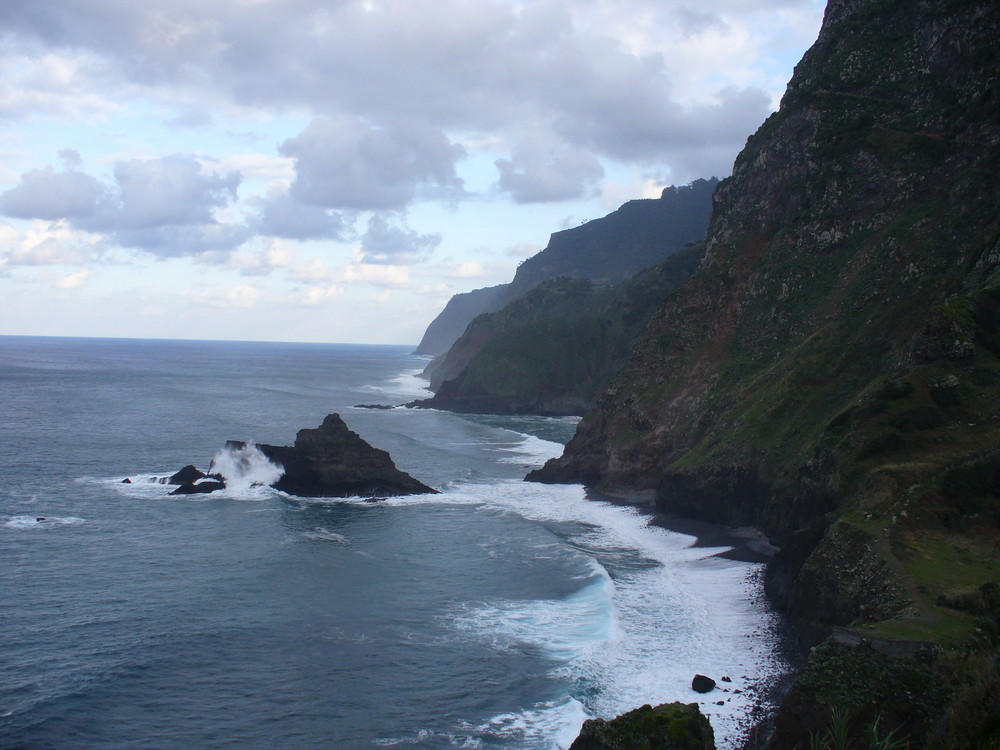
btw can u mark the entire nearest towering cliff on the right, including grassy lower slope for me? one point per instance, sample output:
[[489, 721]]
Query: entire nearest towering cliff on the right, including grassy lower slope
[[831, 373]]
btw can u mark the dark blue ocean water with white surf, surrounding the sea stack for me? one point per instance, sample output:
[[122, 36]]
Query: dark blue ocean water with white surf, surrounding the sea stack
[[499, 614]]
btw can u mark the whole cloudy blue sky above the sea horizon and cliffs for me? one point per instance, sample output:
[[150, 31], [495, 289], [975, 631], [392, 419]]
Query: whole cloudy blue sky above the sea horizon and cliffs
[[335, 170]]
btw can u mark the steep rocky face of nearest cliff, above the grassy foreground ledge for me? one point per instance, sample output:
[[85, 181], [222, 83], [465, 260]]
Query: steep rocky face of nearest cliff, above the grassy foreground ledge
[[856, 245]]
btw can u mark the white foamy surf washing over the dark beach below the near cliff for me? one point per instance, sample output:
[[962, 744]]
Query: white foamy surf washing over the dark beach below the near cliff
[[677, 609]]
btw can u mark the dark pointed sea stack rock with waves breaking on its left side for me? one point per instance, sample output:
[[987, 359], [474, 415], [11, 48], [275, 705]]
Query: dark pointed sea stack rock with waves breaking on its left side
[[333, 461]]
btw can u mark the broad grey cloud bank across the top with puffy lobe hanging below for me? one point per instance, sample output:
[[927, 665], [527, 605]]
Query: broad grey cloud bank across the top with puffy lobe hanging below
[[452, 65]]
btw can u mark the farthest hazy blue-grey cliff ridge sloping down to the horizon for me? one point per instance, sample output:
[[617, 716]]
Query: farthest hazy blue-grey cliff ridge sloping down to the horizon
[[640, 234]]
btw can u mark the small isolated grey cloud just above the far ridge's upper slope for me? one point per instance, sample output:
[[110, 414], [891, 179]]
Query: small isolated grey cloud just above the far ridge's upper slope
[[542, 172]]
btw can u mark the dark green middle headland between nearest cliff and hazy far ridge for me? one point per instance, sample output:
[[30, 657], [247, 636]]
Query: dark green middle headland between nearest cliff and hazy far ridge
[[554, 350]]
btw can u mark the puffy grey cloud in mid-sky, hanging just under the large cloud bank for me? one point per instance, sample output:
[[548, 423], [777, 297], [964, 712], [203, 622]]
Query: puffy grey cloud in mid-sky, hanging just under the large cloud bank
[[344, 162]]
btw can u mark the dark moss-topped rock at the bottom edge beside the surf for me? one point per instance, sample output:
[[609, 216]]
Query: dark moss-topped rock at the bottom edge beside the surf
[[669, 726]]
